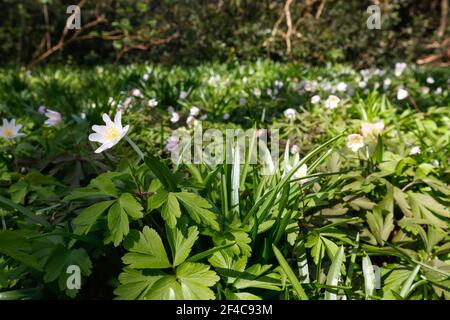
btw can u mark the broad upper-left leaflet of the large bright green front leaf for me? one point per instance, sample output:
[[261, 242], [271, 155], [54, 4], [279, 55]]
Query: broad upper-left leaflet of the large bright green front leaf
[[146, 251]]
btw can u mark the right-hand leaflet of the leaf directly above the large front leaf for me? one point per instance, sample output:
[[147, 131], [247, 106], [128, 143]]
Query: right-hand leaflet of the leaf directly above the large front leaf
[[197, 207]]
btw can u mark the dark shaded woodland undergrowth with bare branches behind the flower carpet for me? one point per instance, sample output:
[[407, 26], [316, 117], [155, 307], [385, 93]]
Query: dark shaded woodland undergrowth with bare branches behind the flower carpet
[[190, 32]]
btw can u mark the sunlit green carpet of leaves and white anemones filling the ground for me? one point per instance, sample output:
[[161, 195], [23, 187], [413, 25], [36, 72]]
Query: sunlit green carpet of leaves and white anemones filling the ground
[[357, 207]]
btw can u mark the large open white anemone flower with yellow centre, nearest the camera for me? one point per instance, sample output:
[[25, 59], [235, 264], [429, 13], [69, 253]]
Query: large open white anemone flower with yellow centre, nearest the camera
[[110, 134]]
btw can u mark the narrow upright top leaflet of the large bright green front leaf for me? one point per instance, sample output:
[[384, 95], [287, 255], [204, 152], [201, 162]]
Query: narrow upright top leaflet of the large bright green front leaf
[[181, 246]]
